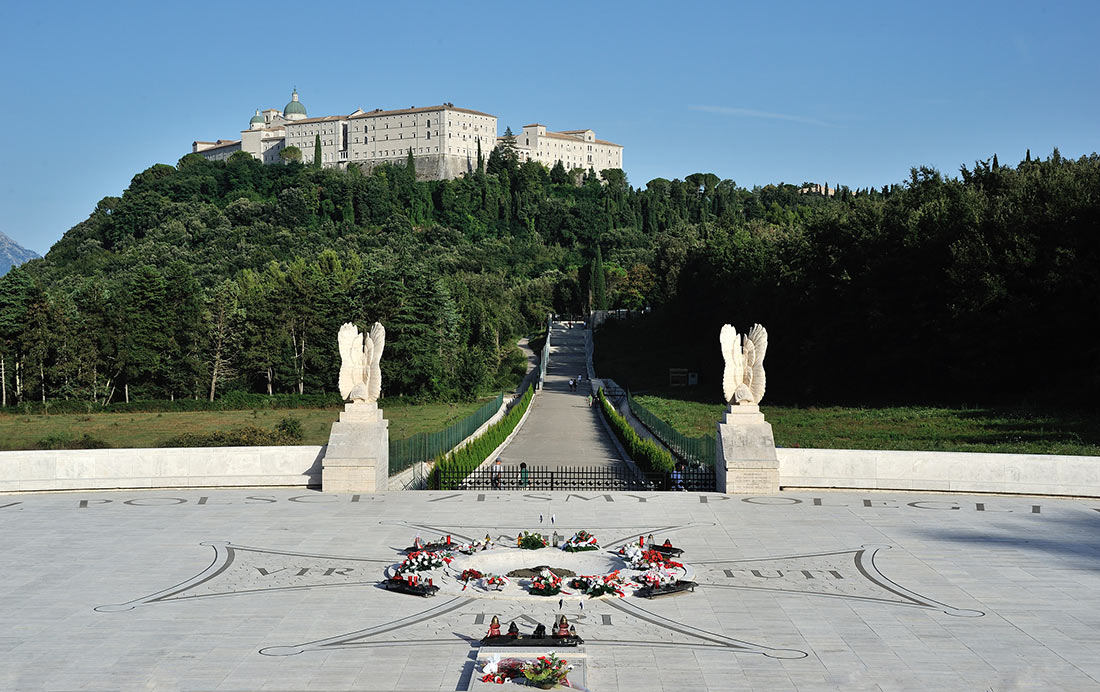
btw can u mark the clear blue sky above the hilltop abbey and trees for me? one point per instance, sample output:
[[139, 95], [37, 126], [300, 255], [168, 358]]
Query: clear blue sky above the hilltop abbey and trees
[[845, 93]]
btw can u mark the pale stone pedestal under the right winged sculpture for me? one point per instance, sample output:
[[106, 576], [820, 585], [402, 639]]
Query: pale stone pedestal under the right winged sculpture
[[746, 459]]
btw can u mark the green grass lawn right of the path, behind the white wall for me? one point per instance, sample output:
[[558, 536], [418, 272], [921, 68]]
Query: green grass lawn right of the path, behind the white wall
[[906, 429]]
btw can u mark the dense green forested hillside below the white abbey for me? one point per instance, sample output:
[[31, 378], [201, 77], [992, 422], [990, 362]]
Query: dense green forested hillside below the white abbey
[[210, 278]]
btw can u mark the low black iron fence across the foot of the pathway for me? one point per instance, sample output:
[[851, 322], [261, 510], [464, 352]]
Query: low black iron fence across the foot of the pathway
[[577, 479]]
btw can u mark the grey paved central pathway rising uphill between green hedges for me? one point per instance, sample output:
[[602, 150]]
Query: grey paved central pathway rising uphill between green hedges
[[562, 431]]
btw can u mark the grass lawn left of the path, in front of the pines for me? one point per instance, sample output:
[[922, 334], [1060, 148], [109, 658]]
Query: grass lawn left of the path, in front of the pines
[[19, 432]]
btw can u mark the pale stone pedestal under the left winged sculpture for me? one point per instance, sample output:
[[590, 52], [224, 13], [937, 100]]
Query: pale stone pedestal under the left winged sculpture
[[358, 457]]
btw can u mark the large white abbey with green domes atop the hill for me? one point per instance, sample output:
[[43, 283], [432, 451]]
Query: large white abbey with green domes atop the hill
[[444, 139]]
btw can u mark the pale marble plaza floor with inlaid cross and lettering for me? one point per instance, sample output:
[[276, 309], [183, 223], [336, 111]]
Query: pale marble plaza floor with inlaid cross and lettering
[[277, 590]]
